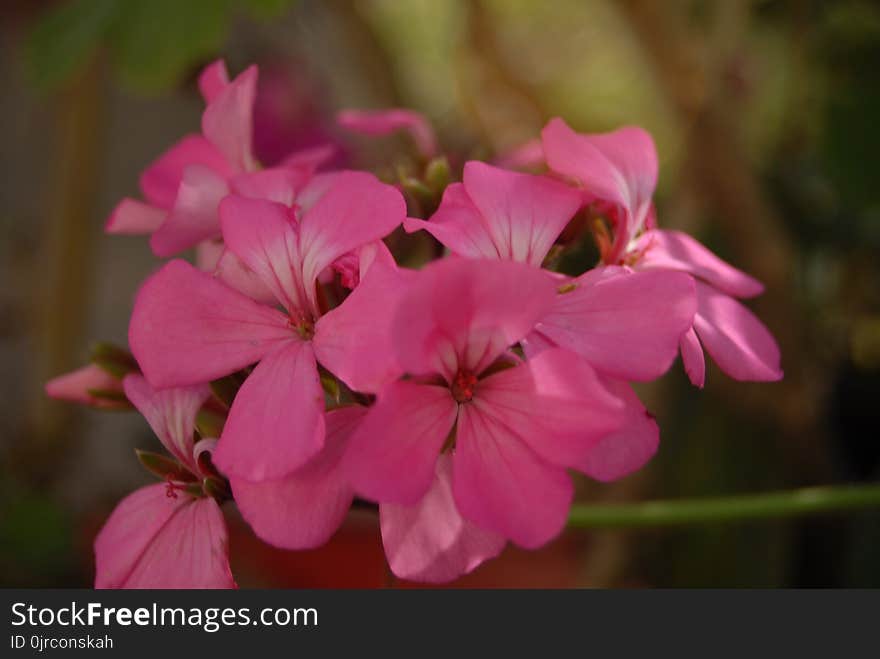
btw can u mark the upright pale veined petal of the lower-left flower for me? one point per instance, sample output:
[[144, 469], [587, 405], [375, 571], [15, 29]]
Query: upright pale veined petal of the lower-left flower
[[171, 414]]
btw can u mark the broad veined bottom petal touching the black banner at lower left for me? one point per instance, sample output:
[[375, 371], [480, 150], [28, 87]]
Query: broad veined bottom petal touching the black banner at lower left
[[153, 541]]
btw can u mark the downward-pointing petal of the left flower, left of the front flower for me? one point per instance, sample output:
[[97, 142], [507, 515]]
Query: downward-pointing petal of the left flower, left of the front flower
[[276, 422]]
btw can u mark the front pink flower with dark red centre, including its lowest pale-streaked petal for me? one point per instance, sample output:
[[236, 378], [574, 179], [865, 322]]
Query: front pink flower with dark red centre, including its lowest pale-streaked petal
[[510, 428]]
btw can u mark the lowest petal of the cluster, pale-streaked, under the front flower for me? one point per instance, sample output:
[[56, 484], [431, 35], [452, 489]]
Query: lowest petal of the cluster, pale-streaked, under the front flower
[[430, 541]]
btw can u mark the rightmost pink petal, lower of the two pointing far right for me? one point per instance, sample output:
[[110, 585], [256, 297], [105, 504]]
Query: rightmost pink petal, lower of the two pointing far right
[[735, 338]]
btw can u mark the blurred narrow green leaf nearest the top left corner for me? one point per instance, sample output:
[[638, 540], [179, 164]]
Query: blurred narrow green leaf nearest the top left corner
[[65, 37]]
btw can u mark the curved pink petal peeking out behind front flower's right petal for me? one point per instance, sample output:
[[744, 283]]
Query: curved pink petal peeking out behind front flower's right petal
[[629, 449]]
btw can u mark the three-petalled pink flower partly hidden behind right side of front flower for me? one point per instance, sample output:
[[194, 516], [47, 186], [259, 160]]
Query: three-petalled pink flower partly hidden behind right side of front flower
[[626, 325]]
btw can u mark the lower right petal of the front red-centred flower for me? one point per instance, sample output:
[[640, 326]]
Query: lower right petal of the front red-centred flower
[[501, 485]]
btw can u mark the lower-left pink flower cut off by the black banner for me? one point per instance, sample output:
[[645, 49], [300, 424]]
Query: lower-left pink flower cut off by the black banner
[[164, 535]]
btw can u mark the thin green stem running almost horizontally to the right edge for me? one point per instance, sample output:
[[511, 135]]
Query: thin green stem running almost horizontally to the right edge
[[792, 503]]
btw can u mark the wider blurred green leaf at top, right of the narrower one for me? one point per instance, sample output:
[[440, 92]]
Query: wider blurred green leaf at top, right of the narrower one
[[157, 42]]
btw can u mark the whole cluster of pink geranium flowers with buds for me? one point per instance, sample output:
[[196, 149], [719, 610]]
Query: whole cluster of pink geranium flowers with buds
[[297, 367]]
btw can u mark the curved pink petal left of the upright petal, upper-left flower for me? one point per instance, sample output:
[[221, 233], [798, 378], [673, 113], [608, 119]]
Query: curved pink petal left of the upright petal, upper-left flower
[[160, 181]]
